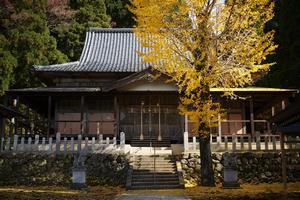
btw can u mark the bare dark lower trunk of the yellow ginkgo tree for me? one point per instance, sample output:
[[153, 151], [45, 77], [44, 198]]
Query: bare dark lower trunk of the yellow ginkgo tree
[[207, 173]]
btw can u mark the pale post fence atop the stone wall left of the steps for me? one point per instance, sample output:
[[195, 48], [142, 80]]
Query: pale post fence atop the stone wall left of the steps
[[65, 145]]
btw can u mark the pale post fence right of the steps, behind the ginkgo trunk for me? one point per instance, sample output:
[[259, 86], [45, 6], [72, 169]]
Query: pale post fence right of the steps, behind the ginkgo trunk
[[236, 143]]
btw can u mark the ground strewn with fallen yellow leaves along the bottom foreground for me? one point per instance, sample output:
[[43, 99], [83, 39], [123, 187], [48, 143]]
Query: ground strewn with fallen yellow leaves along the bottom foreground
[[247, 191]]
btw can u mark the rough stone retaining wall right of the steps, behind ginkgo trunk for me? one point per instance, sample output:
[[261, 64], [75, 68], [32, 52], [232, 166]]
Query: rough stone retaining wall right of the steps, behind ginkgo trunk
[[253, 167]]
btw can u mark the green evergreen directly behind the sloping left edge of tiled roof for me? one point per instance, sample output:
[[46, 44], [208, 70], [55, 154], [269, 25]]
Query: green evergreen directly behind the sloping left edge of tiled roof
[[70, 36]]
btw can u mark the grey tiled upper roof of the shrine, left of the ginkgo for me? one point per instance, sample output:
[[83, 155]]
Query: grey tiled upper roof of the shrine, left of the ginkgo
[[105, 50]]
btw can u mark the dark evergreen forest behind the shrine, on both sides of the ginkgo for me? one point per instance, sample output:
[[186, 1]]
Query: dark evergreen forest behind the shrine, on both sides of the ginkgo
[[42, 32]]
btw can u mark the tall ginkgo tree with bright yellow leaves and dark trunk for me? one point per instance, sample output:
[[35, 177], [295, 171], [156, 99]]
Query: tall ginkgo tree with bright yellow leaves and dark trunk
[[202, 44]]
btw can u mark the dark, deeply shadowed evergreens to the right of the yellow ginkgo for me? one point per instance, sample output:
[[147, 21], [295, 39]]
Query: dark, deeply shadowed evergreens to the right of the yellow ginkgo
[[286, 72]]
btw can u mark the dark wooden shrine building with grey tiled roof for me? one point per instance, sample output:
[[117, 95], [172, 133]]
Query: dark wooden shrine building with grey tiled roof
[[110, 90]]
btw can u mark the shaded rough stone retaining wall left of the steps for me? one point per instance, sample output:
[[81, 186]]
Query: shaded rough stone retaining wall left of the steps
[[30, 169]]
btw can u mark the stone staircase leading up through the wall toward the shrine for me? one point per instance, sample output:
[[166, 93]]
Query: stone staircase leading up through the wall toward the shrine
[[154, 172]]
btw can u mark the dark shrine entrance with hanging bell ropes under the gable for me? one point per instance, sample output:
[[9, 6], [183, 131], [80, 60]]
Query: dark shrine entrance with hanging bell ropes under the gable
[[152, 122]]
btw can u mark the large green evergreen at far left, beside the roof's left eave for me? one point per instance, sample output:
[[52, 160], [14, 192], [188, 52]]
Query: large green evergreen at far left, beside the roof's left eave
[[25, 41]]
